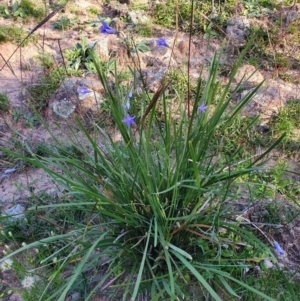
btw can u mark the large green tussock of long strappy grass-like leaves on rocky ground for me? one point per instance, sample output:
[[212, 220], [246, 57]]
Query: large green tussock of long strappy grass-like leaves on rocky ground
[[158, 221]]
